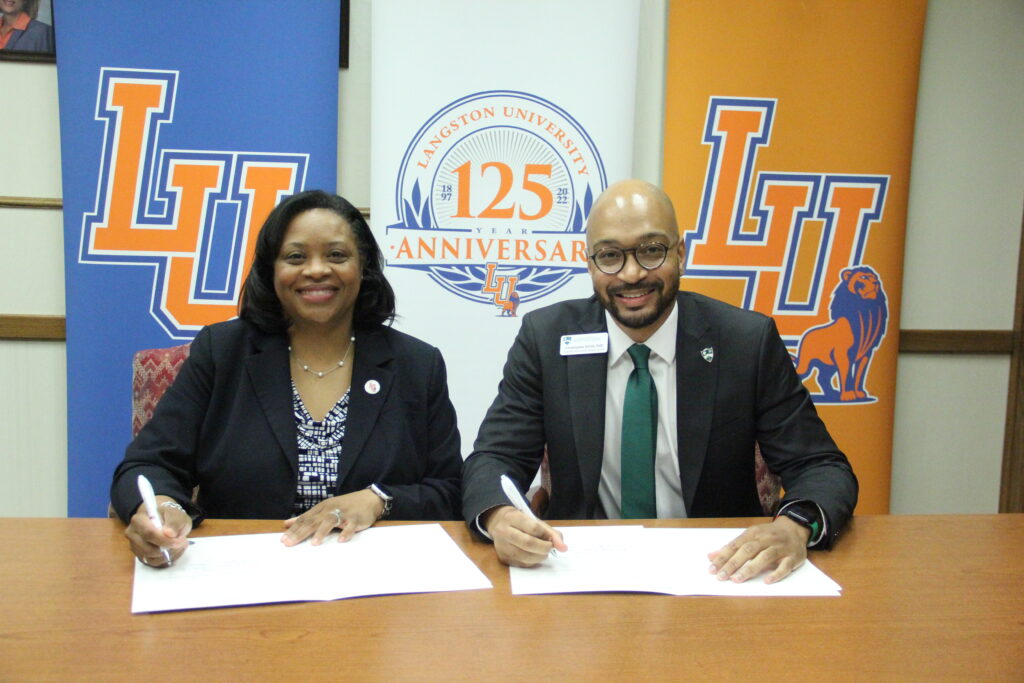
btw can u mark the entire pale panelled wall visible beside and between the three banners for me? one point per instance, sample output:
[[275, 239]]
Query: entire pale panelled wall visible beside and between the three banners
[[963, 240]]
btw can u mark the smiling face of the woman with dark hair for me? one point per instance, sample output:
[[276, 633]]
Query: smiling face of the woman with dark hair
[[318, 272]]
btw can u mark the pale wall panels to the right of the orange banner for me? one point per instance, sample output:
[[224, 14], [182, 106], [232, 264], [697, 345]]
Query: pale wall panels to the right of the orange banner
[[963, 241]]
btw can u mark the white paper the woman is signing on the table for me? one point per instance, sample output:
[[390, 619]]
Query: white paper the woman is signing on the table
[[258, 569]]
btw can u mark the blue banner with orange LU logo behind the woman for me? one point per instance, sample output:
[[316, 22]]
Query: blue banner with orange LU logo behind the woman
[[182, 126]]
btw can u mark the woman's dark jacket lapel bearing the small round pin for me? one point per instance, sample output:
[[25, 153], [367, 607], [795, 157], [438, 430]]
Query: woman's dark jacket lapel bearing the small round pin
[[373, 358]]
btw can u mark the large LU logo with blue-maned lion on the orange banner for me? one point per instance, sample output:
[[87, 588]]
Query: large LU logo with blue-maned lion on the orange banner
[[786, 238]]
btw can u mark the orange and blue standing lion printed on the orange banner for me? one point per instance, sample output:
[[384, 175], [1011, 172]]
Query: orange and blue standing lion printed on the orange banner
[[842, 350]]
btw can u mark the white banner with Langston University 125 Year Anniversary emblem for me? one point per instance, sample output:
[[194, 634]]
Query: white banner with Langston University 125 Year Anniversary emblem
[[495, 127]]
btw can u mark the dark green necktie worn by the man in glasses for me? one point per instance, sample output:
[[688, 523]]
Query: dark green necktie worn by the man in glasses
[[639, 439]]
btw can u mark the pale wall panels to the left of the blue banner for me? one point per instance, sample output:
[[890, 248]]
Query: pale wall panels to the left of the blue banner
[[33, 375]]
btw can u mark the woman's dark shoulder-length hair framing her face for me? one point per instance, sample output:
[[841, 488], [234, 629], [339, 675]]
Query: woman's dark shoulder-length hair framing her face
[[260, 304]]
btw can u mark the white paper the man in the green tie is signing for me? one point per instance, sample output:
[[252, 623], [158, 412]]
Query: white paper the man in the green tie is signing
[[654, 561]]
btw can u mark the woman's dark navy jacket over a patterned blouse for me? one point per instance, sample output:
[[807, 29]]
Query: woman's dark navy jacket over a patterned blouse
[[227, 425]]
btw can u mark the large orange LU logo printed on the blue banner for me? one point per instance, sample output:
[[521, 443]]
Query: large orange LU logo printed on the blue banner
[[192, 216]]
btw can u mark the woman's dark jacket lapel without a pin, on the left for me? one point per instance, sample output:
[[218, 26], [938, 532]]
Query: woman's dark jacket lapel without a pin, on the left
[[269, 372]]
